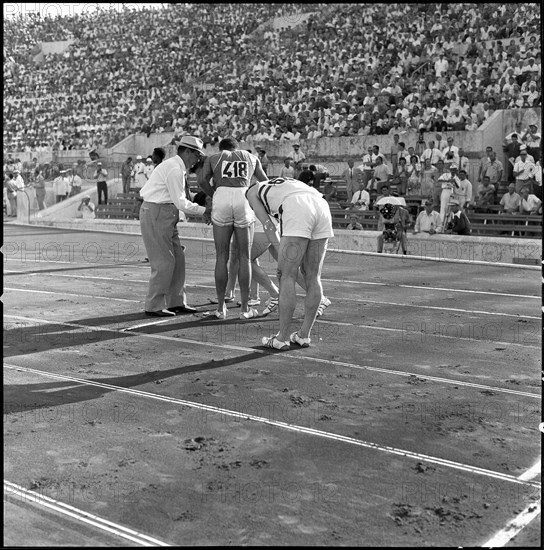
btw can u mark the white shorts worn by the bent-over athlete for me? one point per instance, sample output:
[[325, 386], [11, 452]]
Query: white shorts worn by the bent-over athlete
[[306, 216]]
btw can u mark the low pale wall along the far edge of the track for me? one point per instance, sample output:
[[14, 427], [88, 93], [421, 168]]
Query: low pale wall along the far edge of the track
[[454, 248]]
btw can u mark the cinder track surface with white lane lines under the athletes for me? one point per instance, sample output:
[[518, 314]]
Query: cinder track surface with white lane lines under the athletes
[[411, 420]]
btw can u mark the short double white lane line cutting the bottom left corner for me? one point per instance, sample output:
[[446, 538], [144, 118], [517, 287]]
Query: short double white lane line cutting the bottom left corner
[[80, 515]]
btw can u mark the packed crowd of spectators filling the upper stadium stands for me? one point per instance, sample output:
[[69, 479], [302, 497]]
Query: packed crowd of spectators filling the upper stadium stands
[[347, 69]]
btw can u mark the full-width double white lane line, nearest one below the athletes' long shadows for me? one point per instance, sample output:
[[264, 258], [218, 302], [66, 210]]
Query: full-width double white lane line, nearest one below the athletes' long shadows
[[288, 426]]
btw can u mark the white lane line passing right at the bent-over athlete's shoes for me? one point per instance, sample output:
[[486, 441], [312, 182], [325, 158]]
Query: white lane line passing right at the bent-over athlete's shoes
[[297, 358]]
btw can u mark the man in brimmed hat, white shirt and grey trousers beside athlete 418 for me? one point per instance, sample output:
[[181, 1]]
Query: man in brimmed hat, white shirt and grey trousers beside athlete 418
[[164, 195]]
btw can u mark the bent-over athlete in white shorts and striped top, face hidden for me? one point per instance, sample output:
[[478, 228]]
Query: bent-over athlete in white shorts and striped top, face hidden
[[305, 227]]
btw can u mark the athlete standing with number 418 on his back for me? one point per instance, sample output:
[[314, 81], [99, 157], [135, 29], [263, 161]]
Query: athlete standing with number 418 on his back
[[231, 171]]
